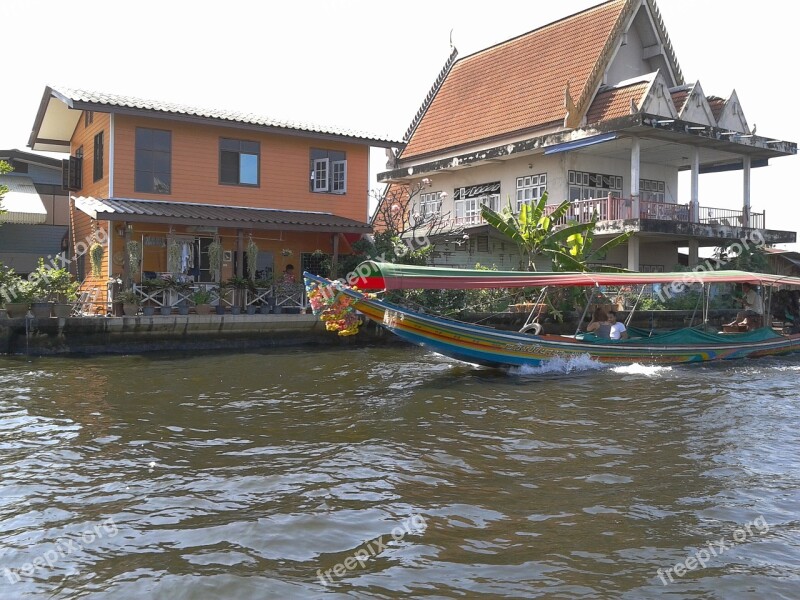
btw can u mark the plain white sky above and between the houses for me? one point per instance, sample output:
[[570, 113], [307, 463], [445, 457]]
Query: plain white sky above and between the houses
[[368, 64]]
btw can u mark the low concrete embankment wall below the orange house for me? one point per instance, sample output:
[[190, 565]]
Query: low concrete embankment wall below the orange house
[[133, 335]]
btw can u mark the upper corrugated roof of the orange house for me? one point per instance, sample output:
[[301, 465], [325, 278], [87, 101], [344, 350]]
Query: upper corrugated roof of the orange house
[[84, 97]]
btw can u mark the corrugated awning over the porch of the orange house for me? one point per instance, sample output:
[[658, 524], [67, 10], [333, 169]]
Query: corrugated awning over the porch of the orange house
[[214, 215]]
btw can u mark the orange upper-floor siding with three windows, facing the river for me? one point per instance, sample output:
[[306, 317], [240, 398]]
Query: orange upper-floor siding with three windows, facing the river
[[284, 169]]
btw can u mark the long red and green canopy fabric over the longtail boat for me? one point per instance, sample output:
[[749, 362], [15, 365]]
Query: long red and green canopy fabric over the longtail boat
[[379, 276]]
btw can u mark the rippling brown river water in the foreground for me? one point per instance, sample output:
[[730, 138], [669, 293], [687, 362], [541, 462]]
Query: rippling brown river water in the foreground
[[391, 472]]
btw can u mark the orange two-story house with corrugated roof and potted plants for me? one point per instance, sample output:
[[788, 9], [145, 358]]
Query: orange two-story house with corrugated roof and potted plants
[[167, 176]]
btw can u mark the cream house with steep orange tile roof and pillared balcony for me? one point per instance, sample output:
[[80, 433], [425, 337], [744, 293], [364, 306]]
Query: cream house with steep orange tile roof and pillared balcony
[[594, 109]]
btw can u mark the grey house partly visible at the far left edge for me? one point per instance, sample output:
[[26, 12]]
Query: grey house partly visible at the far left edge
[[36, 210]]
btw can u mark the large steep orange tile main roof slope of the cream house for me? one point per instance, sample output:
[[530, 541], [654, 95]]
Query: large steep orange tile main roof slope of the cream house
[[517, 85]]
